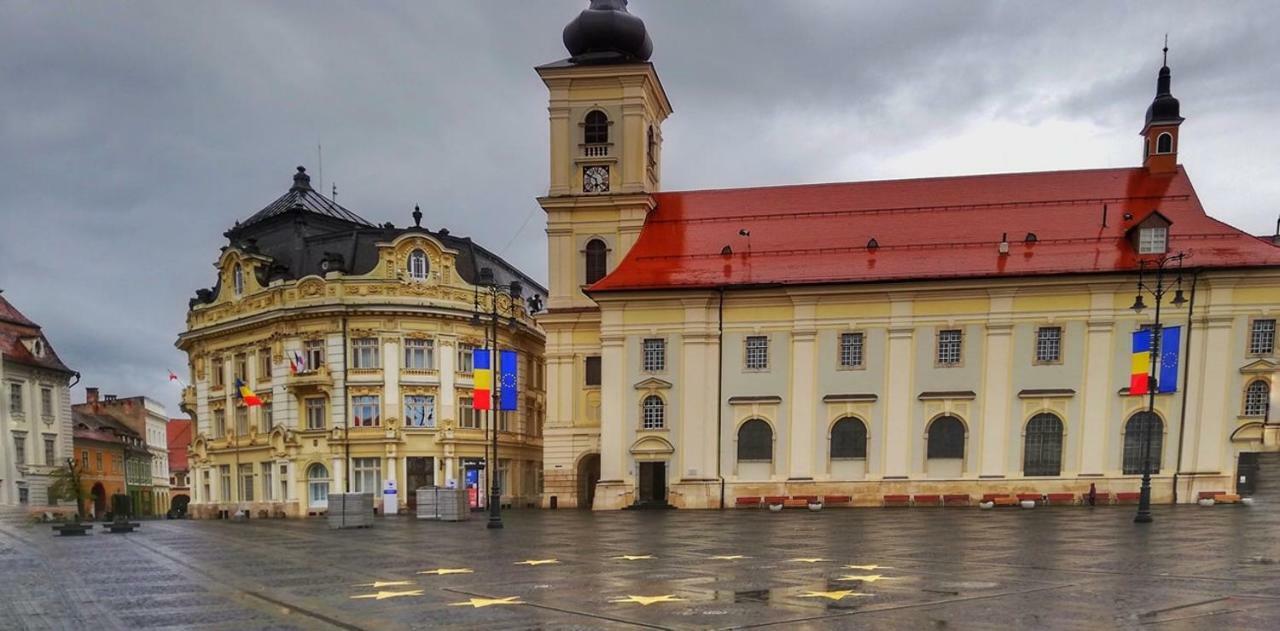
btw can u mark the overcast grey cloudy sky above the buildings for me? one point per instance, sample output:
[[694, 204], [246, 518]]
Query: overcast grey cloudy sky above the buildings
[[132, 135]]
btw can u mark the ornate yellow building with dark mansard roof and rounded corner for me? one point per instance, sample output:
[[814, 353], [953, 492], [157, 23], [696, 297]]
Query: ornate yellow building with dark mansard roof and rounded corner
[[359, 340]]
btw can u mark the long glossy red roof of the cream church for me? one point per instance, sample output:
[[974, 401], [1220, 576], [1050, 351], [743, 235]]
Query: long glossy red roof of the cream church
[[926, 230]]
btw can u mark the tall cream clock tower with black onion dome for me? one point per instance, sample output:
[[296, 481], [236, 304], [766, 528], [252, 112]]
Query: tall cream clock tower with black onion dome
[[606, 113]]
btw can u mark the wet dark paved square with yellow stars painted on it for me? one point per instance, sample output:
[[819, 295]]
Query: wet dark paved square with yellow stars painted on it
[[916, 569]]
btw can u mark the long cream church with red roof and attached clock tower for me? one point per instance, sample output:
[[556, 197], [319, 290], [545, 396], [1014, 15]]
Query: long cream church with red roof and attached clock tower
[[948, 336]]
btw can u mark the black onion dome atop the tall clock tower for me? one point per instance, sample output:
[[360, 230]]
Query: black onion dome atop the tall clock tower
[[607, 34]]
